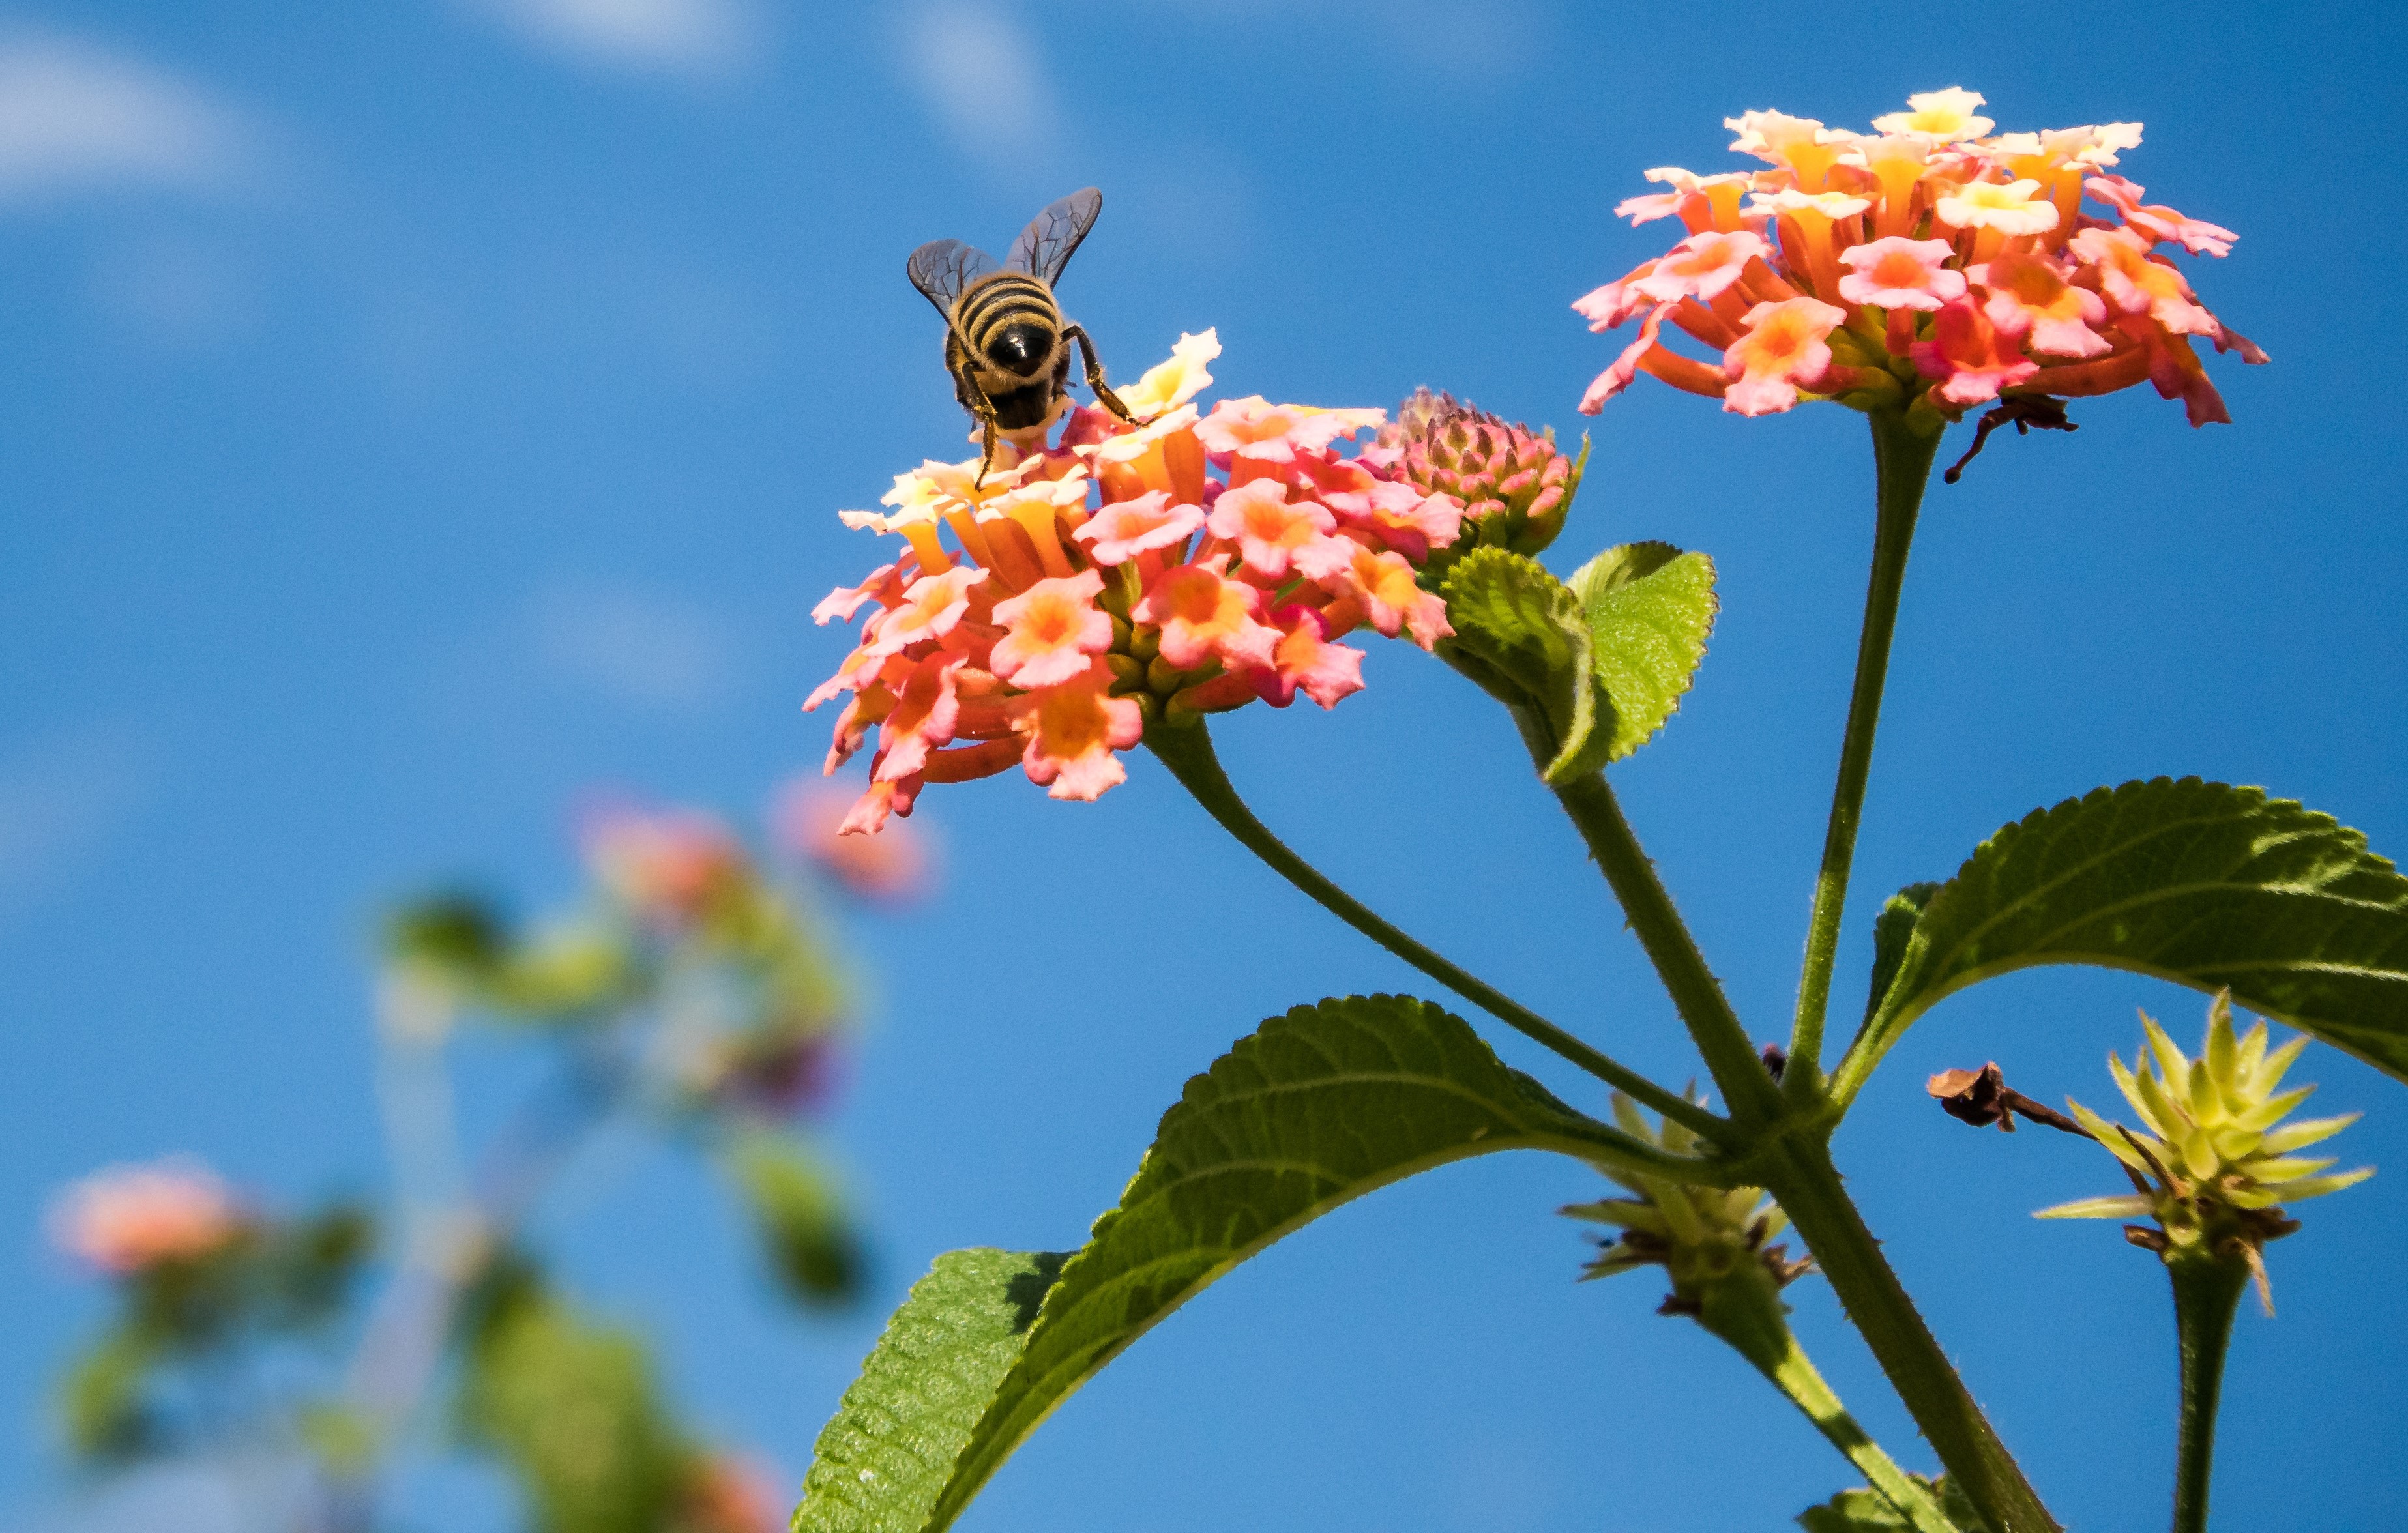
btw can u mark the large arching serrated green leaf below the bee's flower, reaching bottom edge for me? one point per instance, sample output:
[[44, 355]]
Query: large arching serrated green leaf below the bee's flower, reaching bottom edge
[[1314, 1111]]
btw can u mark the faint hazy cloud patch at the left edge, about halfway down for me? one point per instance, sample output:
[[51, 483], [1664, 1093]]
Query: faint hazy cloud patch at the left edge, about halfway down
[[61, 798]]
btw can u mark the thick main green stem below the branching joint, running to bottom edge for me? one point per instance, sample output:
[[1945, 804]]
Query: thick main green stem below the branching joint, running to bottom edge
[[1802, 1180]]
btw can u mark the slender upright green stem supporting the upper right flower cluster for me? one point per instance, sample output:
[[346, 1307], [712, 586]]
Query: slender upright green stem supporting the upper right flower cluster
[[1904, 449]]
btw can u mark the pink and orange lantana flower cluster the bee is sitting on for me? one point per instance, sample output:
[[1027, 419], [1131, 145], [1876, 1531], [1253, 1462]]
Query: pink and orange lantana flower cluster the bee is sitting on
[[1188, 564]]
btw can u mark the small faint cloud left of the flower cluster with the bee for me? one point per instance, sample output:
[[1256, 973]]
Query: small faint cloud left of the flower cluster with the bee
[[632, 646]]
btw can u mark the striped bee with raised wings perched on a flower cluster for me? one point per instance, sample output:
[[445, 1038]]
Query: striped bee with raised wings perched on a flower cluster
[[1005, 338]]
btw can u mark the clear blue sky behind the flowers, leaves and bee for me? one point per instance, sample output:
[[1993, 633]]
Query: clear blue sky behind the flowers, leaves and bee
[[420, 415]]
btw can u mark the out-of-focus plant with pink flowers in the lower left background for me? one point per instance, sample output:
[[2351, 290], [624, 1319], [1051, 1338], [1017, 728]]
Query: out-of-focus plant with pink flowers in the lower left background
[[690, 993]]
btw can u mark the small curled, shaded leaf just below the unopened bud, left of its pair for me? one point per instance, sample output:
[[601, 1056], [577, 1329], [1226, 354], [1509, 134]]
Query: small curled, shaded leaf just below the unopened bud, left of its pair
[[1523, 639]]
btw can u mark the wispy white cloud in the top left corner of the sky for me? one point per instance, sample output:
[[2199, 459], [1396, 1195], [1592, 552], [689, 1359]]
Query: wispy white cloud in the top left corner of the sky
[[76, 117]]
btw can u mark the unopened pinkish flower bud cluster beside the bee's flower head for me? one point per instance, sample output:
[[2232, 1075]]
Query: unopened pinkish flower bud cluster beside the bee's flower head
[[1513, 483]]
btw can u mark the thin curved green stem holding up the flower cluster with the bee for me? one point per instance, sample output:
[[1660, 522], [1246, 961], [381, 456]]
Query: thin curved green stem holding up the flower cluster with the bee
[[1188, 752]]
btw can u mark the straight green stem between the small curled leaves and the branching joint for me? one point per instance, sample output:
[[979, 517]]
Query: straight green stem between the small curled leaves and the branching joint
[[1699, 998]]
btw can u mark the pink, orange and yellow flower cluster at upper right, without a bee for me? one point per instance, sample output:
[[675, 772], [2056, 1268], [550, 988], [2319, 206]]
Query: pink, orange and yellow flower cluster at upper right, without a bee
[[1930, 256]]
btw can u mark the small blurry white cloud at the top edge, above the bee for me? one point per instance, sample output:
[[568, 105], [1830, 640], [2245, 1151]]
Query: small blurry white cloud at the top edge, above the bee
[[986, 83]]
